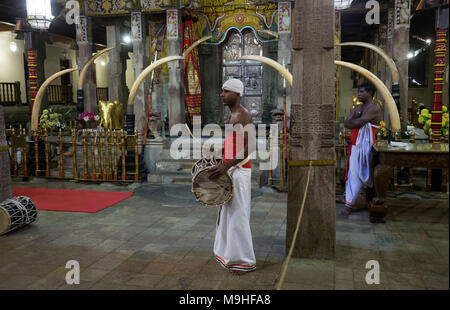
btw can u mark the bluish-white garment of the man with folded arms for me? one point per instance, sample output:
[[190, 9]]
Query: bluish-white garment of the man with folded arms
[[360, 170]]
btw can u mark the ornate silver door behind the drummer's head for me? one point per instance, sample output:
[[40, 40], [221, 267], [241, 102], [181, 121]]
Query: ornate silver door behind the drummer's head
[[249, 72]]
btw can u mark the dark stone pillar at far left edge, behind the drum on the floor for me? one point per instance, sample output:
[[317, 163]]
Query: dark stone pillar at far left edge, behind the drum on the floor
[[5, 171]]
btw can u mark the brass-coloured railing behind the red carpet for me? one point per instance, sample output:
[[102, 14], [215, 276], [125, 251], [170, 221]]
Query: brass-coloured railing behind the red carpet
[[103, 152]]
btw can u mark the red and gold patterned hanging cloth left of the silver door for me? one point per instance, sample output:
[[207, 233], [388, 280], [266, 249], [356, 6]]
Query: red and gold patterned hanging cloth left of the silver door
[[191, 73]]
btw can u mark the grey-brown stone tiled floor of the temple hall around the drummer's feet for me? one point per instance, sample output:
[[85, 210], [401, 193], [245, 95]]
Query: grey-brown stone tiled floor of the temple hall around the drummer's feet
[[160, 238]]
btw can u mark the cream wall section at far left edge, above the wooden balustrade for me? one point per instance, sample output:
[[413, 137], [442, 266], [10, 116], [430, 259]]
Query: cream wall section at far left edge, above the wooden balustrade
[[12, 63]]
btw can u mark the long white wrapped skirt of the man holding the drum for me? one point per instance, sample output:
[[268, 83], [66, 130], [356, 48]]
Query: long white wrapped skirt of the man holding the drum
[[233, 245]]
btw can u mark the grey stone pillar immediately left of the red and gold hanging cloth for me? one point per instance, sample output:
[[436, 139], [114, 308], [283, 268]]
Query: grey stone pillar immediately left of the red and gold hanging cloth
[[176, 109]]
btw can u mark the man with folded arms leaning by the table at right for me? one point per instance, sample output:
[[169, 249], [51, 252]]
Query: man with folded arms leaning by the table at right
[[366, 115]]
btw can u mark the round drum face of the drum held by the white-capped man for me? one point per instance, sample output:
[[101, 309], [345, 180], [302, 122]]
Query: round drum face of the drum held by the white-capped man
[[212, 192]]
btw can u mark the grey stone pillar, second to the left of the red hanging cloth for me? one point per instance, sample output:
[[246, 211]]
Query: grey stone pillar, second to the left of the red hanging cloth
[[140, 62]]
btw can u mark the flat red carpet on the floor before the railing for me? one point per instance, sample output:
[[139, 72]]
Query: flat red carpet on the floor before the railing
[[71, 200]]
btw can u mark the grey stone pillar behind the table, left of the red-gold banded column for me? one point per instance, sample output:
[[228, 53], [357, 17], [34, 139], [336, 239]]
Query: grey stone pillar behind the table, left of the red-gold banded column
[[400, 48]]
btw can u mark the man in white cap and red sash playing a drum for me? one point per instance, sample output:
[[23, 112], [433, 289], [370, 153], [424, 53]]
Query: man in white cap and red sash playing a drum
[[233, 246]]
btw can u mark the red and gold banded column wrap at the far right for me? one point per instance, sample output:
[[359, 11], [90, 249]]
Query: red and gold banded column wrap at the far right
[[438, 84]]
